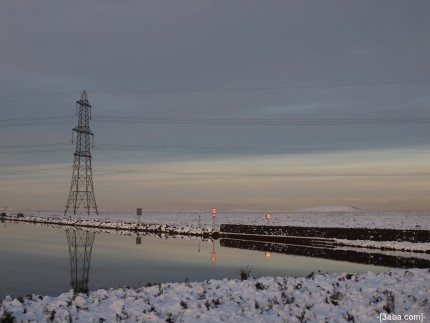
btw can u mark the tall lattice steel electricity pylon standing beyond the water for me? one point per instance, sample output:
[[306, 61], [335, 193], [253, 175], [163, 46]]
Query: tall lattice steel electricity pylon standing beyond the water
[[81, 196]]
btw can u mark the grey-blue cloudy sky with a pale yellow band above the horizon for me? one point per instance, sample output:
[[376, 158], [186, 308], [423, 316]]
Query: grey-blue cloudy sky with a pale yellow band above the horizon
[[262, 105]]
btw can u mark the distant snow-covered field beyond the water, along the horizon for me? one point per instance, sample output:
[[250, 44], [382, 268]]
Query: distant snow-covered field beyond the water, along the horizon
[[327, 216]]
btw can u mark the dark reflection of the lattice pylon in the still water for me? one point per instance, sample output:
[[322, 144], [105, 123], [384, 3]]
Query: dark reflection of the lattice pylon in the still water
[[80, 248]]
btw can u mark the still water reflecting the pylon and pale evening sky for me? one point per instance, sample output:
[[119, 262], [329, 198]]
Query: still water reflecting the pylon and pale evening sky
[[48, 261]]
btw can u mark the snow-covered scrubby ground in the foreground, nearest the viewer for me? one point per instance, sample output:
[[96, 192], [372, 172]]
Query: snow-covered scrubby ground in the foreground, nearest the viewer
[[397, 295]]
